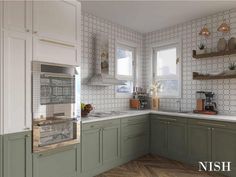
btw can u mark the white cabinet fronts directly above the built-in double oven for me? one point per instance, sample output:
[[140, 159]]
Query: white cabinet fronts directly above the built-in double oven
[[56, 31]]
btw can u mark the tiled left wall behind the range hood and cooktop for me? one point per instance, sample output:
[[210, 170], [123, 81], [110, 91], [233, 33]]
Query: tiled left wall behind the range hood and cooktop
[[104, 98]]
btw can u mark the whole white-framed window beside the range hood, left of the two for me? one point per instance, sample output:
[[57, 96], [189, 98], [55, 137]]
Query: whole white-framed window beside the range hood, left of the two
[[125, 68]]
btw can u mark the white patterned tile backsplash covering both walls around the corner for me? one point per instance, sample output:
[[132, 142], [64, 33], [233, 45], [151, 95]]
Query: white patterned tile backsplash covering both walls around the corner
[[104, 98]]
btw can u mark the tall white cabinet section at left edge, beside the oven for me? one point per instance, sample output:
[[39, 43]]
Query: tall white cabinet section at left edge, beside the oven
[[16, 33]]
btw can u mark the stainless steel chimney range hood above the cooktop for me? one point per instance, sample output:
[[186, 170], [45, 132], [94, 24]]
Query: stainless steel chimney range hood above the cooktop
[[101, 76]]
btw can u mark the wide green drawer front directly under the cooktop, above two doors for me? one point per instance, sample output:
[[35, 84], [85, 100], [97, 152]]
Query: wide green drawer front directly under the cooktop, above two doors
[[100, 124]]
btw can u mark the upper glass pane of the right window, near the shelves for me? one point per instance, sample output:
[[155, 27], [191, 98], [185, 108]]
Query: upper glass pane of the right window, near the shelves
[[166, 62]]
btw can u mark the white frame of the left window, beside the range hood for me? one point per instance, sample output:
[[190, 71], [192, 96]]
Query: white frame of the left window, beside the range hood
[[132, 47]]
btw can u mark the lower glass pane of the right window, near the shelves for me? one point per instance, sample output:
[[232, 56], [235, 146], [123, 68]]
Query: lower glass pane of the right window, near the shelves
[[169, 87]]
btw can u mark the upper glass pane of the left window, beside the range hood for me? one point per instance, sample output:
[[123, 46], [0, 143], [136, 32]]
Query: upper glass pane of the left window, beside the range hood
[[124, 62]]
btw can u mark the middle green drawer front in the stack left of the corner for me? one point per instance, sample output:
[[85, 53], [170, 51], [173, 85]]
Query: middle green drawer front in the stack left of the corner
[[135, 129]]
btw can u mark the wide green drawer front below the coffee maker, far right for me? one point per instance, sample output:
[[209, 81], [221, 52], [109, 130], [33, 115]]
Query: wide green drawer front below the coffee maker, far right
[[212, 123]]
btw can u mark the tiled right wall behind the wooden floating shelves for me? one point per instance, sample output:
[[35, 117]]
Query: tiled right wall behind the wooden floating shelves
[[225, 89]]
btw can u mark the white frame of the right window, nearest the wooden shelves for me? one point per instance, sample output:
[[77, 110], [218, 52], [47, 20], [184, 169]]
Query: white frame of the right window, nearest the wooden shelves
[[167, 45]]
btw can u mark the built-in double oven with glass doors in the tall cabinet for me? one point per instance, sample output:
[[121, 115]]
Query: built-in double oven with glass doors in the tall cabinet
[[55, 105]]
